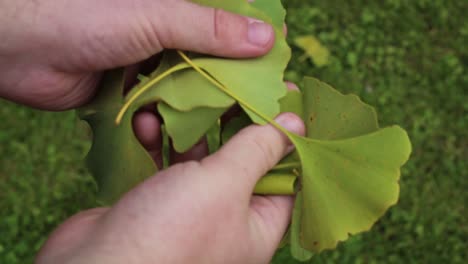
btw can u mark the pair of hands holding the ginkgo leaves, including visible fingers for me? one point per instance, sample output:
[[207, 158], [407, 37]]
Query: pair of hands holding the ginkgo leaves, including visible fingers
[[52, 54]]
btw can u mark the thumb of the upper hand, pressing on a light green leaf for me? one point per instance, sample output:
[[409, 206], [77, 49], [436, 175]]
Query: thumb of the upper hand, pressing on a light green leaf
[[212, 31]]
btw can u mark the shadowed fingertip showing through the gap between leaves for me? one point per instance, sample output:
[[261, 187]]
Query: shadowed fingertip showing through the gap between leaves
[[147, 129]]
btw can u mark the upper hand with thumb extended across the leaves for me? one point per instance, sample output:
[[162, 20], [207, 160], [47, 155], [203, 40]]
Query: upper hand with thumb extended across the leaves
[[52, 51]]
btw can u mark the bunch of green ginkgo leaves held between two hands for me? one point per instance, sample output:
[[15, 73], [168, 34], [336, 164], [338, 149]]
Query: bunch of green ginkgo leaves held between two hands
[[345, 171]]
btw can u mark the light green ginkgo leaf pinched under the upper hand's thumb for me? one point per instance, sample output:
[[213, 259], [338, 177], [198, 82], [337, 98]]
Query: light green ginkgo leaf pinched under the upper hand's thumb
[[250, 78]]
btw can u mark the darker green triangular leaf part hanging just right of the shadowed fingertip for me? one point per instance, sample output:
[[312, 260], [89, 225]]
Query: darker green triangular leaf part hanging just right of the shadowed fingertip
[[187, 128]]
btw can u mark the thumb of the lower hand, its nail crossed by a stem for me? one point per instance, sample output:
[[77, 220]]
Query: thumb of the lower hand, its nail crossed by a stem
[[250, 154]]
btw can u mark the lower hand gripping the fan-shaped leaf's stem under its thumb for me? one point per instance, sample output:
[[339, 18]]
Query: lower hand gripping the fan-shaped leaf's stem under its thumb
[[193, 212]]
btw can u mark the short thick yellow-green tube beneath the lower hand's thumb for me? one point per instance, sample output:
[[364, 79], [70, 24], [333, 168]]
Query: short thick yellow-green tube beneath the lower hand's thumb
[[277, 184]]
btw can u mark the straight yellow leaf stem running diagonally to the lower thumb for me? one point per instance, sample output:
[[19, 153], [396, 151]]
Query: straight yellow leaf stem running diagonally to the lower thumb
[[231, 94]]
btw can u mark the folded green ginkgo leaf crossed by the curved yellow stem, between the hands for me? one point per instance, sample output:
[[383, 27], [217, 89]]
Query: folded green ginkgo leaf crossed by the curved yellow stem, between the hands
[[189, 101]]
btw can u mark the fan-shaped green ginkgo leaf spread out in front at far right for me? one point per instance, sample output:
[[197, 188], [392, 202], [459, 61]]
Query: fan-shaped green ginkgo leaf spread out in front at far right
[[347, 185]]
